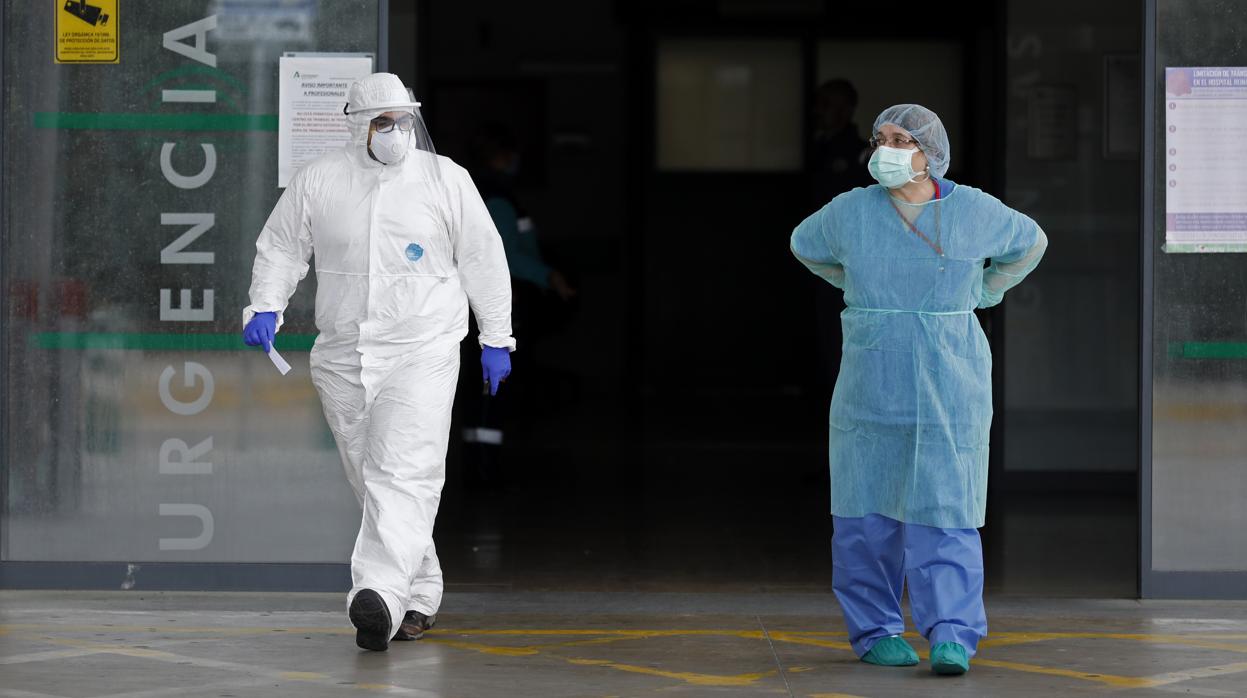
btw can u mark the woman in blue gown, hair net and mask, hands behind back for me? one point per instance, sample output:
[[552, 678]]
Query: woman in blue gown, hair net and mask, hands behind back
[[912, 407]]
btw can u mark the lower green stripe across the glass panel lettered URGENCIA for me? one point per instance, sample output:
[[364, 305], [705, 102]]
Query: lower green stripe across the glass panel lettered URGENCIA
[[139, 342]]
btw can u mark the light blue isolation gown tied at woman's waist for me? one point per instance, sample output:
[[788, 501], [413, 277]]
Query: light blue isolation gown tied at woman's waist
[[912, 407]]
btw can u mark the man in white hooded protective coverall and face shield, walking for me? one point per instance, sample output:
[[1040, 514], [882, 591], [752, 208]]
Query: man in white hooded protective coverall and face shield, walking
[[403, 246]]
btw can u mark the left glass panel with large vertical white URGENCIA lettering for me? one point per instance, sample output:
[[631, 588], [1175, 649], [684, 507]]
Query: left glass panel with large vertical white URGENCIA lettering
[[139, 427]]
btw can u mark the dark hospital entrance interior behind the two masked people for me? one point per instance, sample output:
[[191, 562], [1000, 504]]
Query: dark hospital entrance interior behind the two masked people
[[675, 411]]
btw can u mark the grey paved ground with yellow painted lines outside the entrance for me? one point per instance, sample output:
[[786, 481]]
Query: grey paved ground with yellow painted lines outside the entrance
[[149, 645]]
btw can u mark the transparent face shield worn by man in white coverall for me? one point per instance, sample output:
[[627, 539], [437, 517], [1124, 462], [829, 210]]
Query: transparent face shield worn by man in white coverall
[[395, 136]]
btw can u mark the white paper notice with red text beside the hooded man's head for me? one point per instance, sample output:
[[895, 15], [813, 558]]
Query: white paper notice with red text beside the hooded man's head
[[314, 90]]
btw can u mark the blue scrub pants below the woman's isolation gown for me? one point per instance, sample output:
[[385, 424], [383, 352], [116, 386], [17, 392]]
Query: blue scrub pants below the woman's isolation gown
[[875, 557]]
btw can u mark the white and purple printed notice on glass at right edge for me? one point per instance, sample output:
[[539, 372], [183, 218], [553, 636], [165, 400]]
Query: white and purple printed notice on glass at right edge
[[1205, 156]]
